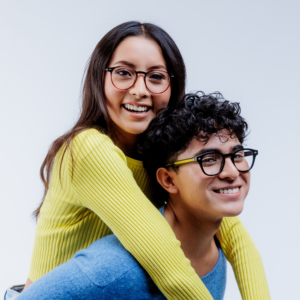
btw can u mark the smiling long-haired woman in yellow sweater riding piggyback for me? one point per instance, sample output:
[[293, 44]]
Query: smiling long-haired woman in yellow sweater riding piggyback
[[98, 186]]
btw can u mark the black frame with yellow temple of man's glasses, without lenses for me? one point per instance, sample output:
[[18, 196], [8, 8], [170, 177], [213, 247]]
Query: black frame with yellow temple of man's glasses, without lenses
[[200, 157]]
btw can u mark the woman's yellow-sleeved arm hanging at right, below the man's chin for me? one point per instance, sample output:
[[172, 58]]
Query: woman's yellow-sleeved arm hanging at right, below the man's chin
[[244, 259]]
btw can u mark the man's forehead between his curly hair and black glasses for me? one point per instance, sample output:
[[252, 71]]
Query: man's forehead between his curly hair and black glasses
[[221, 141]]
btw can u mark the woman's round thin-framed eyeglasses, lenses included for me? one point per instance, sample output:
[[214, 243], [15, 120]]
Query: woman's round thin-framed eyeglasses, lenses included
[[156, 81]]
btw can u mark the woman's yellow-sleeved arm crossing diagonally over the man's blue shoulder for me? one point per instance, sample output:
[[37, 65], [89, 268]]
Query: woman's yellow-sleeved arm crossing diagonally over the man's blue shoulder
[[102, 182]]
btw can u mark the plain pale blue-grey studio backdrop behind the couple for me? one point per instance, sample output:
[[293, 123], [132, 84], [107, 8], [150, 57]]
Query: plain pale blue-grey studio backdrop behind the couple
[[248, 50]]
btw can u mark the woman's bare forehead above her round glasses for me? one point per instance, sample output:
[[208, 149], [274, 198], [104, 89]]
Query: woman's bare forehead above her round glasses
[[139, 51]]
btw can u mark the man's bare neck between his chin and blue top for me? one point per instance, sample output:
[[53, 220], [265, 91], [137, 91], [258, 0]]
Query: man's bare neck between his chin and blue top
[[196, 234]]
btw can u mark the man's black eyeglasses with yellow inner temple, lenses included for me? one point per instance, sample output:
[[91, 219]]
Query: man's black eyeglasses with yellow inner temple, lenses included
[[212, 162]]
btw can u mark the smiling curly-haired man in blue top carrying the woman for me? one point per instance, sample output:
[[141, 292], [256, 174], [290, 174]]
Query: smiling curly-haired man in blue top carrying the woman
[[195, 152]]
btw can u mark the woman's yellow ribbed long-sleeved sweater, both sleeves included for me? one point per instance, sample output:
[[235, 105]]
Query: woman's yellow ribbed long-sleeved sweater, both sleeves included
[[105, 193]]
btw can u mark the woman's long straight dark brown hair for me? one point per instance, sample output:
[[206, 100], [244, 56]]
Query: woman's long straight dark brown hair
[[94, 112]]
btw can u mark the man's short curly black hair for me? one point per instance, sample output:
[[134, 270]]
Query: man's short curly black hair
[[197, 116]]
